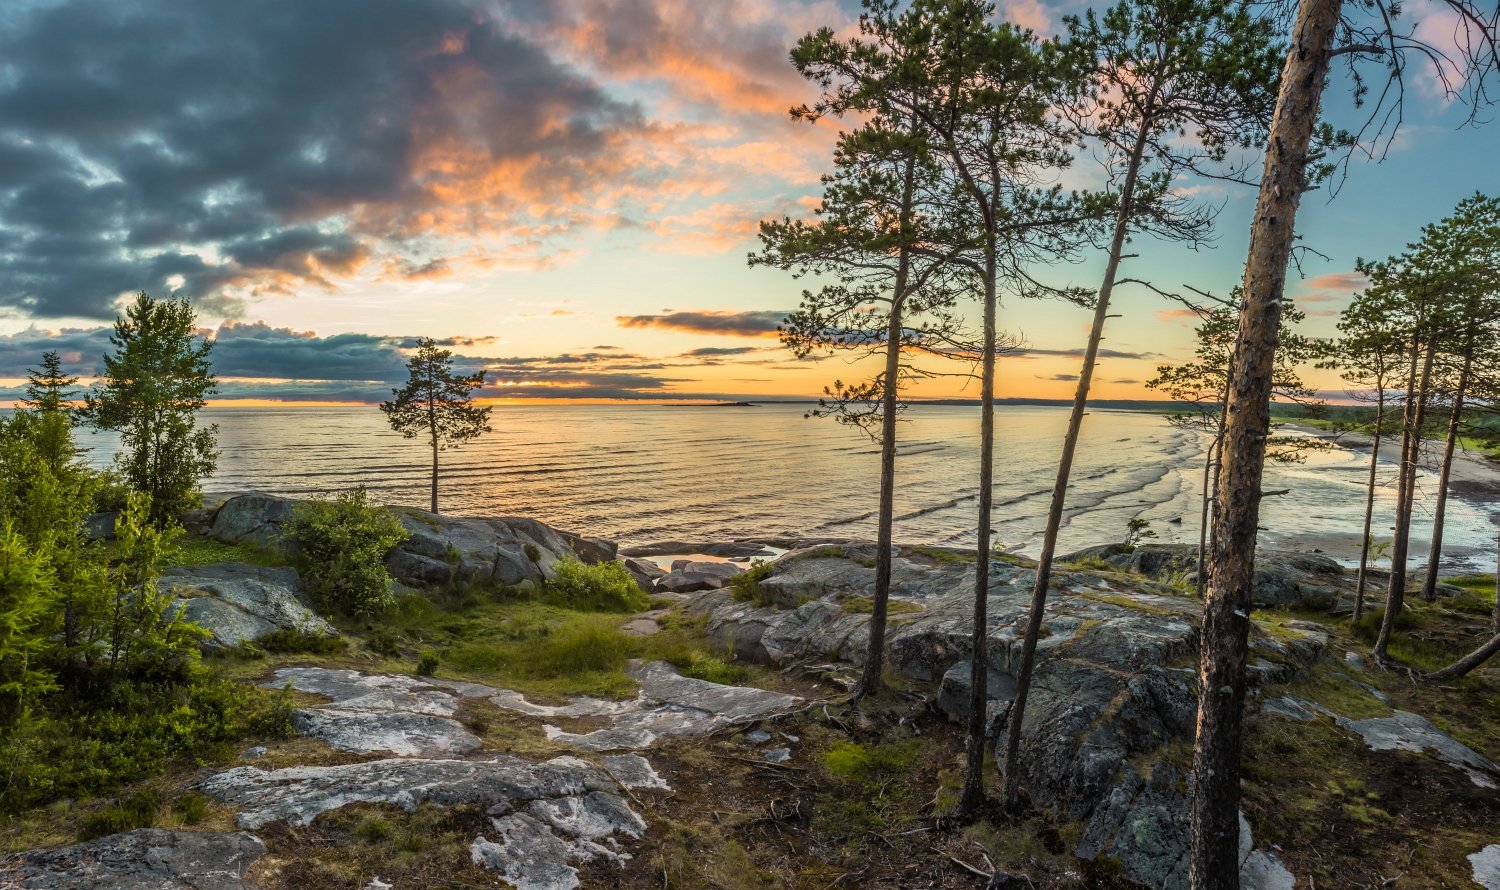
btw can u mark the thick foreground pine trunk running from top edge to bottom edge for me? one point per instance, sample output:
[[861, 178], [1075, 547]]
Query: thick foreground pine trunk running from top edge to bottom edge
[[1214, 859]]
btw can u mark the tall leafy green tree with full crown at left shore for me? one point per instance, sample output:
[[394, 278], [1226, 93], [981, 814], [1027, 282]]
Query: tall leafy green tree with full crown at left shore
[[154, 388]]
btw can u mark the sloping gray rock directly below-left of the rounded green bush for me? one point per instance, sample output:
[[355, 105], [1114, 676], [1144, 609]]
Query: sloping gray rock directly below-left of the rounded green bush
[[238, 603]]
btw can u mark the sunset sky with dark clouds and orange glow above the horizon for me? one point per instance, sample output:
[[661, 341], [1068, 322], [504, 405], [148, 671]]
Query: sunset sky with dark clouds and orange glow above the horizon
[[562, 191]]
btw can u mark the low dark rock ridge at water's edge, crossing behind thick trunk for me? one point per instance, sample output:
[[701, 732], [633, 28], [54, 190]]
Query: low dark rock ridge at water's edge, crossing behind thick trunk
[[1283, 579]]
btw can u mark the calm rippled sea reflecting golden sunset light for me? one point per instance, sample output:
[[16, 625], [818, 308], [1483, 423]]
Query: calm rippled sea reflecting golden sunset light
[[641, 474]]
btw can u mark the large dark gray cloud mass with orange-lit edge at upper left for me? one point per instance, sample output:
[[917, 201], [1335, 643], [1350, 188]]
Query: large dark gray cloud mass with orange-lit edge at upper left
[[236, 149]]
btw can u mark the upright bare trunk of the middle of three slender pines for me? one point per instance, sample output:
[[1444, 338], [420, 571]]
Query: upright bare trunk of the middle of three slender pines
[[973, 799]]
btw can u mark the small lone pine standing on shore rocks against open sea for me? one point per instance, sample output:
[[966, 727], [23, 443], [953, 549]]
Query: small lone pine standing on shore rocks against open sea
[[439, 404]]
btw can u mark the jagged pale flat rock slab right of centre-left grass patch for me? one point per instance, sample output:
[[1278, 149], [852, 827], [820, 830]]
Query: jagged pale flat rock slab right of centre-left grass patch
[[668, 705]]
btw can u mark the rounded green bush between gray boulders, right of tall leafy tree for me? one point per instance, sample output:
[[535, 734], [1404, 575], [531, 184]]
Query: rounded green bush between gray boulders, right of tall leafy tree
[[343, 553]]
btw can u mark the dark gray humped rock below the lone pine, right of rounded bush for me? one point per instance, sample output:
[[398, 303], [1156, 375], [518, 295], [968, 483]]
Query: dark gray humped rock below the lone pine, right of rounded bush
[[445, 550]]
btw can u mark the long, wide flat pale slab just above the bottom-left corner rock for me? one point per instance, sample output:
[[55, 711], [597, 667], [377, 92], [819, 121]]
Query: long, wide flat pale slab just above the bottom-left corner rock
[[299, 795]]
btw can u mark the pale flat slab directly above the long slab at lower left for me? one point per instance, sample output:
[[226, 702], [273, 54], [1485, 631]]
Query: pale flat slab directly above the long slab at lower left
[[407, 717]]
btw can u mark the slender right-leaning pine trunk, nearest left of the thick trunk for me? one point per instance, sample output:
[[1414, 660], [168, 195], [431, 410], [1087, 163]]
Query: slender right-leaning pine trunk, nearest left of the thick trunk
[[1060, 489]]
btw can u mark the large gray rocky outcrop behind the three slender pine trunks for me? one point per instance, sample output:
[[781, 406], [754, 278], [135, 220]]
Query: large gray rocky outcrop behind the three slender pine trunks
[[1114, 684]]
